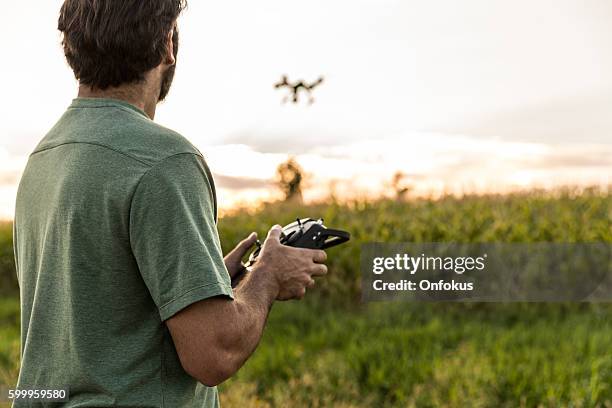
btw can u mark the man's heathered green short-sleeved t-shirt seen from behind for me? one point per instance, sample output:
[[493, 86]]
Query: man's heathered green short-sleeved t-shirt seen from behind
[[115, 232]]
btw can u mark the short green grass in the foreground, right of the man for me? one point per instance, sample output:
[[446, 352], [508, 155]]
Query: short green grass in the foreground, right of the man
[[430, 355]]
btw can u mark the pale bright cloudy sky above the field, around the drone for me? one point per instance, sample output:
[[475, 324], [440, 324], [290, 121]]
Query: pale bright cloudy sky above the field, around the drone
[[469, 96]]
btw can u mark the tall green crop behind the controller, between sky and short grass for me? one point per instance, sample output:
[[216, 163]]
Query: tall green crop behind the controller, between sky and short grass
[[561, 216]]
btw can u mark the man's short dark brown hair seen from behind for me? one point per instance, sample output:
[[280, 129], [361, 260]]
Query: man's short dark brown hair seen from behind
[[112, 42]]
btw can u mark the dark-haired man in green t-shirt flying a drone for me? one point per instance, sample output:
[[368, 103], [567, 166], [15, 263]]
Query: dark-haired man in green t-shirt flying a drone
[[126, 299]]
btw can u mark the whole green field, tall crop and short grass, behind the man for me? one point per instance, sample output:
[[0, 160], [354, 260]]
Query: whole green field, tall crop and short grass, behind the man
[[332, 350]]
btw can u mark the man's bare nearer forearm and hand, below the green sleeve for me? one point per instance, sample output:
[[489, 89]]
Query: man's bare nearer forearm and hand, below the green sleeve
[[214, 337]]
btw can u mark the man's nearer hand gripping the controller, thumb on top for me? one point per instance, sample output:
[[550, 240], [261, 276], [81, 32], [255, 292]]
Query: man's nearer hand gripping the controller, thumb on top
[[292, 269]]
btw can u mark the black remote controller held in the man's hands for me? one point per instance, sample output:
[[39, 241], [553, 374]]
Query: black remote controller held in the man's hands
[[307, 233]]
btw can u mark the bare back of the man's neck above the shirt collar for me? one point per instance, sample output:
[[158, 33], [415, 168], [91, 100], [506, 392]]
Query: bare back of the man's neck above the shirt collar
[[138, 95]]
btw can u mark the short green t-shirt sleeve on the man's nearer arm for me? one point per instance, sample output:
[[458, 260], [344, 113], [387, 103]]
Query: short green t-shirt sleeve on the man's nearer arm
[[174, 236]]
